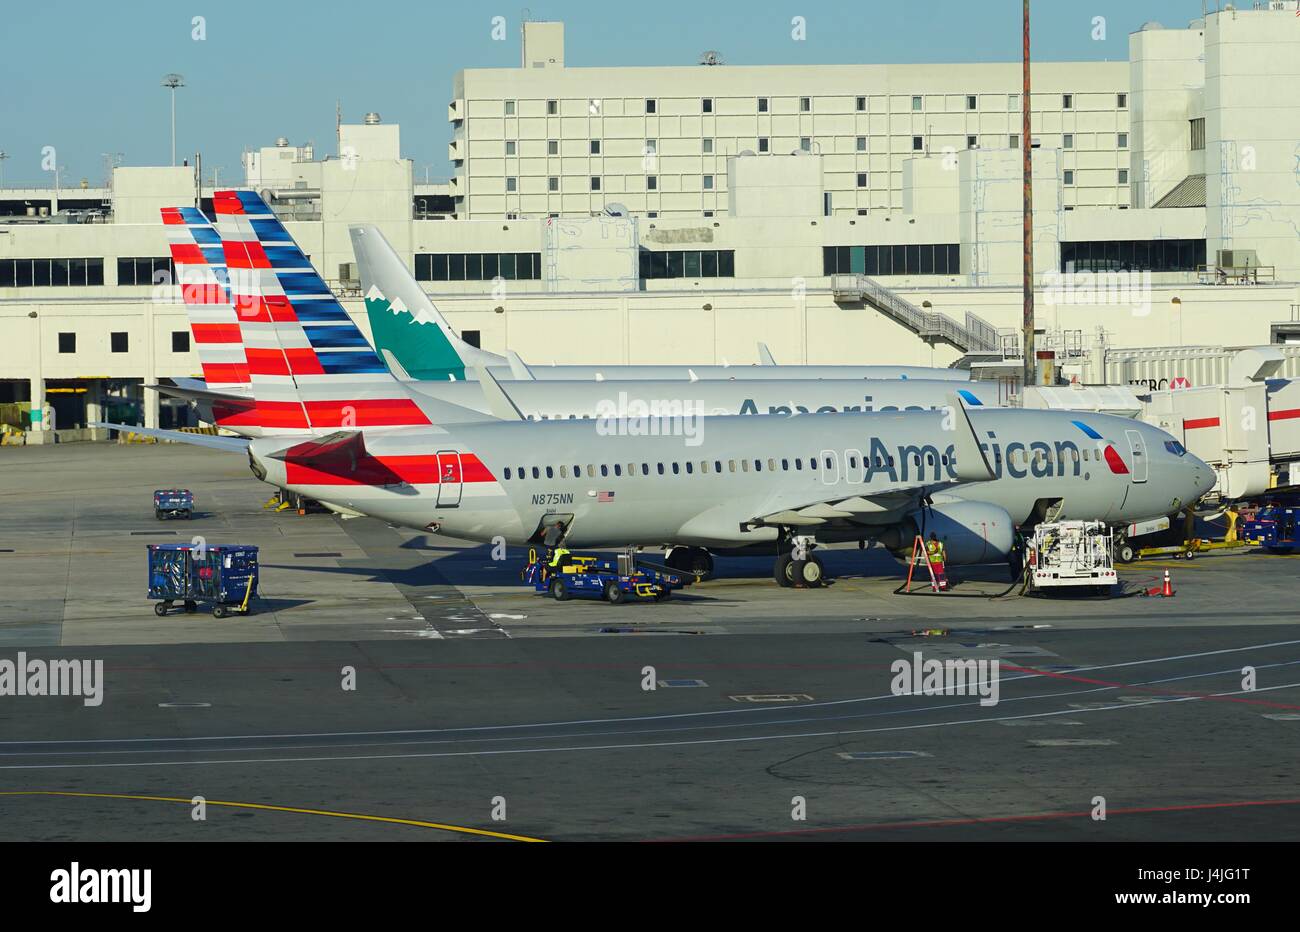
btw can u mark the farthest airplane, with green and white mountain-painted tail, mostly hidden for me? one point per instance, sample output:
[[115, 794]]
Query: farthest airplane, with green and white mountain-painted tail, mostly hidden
[[406, 323]]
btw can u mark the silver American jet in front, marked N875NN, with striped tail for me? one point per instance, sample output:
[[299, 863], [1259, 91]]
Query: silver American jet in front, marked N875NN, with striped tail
[[744, 484]]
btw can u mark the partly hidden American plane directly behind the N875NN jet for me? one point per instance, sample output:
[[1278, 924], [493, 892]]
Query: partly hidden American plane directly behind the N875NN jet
[[202, 274]]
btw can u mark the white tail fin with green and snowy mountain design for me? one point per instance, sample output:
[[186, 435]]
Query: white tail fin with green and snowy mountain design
[[405, 320]]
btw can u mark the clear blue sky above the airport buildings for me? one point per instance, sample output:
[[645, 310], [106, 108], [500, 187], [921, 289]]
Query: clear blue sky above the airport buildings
[[86, 77]]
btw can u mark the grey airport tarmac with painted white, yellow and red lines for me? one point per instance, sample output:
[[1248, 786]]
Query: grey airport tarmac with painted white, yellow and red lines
[[486, 712]]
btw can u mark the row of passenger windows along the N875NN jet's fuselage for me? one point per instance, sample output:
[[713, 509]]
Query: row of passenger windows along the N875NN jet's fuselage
[[824, 461]]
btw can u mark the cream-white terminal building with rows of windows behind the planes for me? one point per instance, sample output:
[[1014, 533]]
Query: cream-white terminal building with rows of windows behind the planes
[[840, 214]]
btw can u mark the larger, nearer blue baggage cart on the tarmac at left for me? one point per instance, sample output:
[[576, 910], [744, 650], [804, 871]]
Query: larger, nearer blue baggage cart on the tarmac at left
[[224, 575]]
